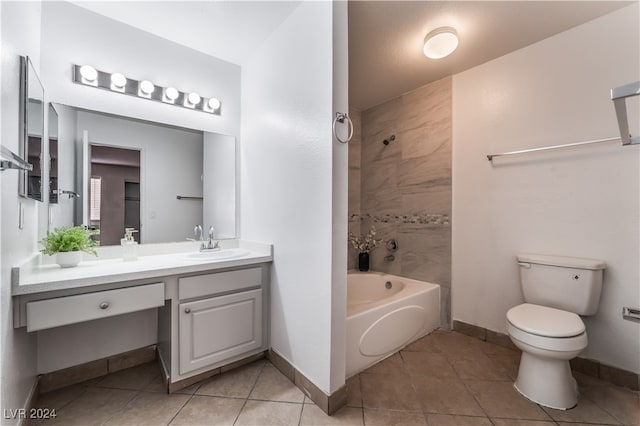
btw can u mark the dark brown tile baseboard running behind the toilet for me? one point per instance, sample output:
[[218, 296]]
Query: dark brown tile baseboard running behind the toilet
[[593, 368]]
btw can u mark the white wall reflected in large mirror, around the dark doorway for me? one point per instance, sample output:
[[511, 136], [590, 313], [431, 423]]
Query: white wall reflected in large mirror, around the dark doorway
[[170, 164]]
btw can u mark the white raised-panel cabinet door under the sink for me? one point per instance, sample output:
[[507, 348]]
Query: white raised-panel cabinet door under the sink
[[218, 328]]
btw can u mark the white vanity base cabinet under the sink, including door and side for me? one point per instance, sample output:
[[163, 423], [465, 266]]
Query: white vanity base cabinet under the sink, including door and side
[[217, 318]]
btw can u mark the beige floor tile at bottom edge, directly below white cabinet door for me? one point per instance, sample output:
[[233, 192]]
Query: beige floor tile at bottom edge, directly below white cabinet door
[[208, 410]]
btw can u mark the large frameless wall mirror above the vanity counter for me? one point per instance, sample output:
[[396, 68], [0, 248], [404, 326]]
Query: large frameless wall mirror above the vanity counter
[[159, 179]]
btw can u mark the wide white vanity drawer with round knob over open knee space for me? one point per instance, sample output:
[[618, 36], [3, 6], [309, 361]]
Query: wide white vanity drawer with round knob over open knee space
[[51, 313]]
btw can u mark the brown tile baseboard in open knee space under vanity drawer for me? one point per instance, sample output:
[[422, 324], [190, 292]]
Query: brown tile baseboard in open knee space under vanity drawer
[[93, 369]]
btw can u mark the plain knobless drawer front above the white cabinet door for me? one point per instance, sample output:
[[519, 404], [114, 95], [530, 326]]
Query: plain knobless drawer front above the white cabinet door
[[221, 282]]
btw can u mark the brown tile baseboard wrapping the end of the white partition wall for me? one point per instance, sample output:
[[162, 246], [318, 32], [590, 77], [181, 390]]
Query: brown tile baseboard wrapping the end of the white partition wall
[[327, 403]]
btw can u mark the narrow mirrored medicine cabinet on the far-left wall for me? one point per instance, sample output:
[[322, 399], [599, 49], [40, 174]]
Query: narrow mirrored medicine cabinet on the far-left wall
[[31, 130]]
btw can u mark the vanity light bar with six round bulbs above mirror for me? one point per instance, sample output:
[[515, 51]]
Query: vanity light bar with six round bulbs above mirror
[[116, 82]]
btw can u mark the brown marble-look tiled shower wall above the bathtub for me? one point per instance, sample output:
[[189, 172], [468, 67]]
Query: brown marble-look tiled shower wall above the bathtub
[[404, 188]]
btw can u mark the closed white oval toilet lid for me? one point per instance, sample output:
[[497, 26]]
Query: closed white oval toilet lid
[[545, 321]]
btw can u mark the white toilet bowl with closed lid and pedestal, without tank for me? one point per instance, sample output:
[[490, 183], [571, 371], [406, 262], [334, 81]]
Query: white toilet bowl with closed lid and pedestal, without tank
[[548, 339]]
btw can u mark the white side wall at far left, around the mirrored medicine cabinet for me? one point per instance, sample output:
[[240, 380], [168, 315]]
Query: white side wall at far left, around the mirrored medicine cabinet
[[20, 33]]
